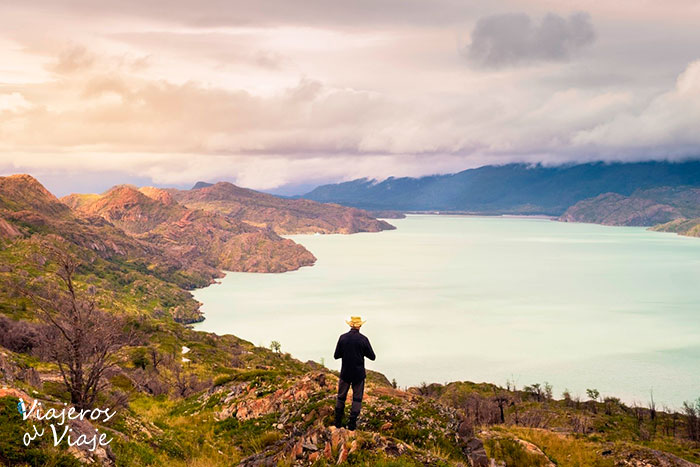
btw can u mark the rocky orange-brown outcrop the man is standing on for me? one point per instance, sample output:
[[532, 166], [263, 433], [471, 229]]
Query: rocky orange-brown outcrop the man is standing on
[[300, 410]]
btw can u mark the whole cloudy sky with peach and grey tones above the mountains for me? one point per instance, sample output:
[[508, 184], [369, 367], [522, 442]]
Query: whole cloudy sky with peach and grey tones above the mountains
[[283, 95]]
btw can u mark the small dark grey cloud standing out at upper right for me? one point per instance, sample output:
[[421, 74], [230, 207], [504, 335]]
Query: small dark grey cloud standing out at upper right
[[514, 39]]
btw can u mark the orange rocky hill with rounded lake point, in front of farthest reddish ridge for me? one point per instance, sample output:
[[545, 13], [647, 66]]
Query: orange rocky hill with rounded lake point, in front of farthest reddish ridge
[[193, 235]]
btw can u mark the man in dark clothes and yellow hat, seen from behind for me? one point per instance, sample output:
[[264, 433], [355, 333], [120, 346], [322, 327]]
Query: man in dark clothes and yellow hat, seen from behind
[[352, 347]]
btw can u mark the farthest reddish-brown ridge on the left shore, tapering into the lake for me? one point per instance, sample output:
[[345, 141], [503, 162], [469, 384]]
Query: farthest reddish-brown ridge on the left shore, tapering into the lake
[[283, 215]]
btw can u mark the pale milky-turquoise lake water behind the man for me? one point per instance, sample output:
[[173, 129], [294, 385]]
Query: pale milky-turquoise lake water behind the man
[[488, 299]]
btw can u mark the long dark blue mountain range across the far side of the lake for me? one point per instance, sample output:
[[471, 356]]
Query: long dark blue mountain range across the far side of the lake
[[509, 189]]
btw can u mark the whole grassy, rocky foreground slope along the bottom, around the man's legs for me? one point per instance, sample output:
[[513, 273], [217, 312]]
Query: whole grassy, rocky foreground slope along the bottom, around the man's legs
[[233, 403]]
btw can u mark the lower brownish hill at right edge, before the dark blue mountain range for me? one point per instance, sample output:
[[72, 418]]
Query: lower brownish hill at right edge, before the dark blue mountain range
[[641, 208]]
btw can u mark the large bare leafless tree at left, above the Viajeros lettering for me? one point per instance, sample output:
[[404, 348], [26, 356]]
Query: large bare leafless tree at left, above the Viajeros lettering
[[80, 338]]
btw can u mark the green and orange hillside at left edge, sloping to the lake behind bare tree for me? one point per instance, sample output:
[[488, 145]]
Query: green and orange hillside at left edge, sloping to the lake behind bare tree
[[132, 274]]
